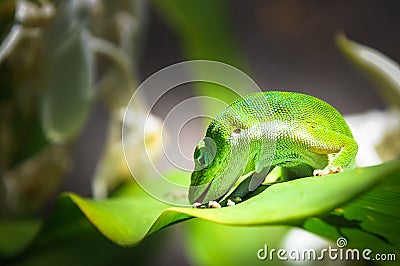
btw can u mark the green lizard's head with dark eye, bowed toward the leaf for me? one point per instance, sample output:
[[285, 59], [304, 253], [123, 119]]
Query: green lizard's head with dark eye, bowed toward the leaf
[[214, 174]]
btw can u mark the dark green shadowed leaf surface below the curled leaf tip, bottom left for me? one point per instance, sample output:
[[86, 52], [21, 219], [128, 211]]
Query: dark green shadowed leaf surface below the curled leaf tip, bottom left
[[68, 238]]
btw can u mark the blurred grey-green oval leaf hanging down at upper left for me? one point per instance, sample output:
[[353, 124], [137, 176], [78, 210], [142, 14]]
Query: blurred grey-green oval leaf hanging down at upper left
[[67, 77]]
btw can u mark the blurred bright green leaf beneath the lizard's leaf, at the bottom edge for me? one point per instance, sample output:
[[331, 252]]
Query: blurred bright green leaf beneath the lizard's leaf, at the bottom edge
[[208, 243]]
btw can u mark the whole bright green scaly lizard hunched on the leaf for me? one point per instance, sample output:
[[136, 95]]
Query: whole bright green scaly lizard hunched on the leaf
[[300, 133]]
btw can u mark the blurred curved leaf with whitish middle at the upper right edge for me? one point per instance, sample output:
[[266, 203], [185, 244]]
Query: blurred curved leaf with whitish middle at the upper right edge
[[379, 69]]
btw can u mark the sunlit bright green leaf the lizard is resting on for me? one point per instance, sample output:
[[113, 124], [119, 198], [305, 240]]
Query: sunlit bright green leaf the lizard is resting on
[[132, 215]]
